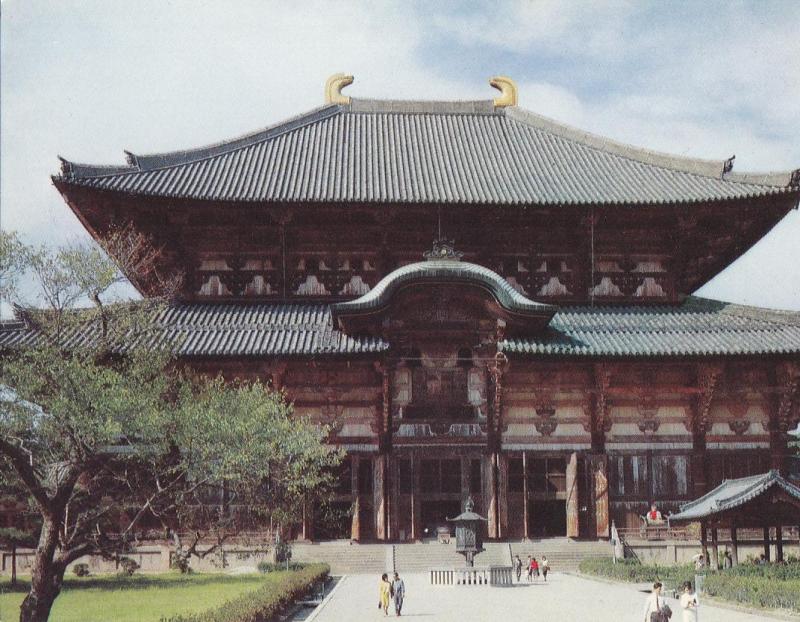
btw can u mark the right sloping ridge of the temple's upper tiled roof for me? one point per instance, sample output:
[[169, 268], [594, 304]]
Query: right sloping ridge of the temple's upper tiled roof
[[702, 167]]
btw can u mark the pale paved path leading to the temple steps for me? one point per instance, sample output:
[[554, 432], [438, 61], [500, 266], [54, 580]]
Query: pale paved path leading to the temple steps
[[564, 598]]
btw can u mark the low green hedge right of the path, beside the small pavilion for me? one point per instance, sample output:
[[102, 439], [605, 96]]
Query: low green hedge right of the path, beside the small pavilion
[[770, 586]]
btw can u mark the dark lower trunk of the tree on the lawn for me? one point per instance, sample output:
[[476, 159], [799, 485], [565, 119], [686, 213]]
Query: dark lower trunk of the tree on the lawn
[[46, 577]]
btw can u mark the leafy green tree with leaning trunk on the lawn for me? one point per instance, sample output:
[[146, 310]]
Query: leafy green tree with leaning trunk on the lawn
[[109, 436]]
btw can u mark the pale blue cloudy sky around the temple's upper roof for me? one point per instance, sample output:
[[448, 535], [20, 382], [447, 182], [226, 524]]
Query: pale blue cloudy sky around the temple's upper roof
[[87, 79]]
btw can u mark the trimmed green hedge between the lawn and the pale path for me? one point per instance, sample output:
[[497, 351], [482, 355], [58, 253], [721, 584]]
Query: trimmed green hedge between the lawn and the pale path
[[265, 603]]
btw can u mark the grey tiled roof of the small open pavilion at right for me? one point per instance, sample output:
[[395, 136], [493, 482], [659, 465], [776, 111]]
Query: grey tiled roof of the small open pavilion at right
[[733, 493]]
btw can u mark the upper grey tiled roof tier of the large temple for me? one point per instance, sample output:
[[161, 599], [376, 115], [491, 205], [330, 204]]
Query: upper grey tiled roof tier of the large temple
[[472, 152]]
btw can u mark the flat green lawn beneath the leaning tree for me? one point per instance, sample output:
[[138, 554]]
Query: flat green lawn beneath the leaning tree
[[139, 598]]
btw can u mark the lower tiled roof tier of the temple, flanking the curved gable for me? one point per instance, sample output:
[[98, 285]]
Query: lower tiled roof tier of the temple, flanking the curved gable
[[699, 327]]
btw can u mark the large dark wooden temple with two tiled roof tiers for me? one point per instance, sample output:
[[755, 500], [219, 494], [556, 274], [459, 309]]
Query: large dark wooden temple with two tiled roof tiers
[[481, 301]]
